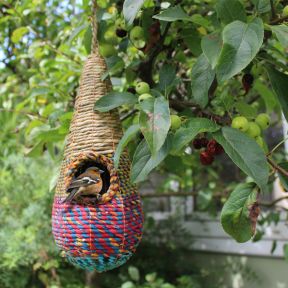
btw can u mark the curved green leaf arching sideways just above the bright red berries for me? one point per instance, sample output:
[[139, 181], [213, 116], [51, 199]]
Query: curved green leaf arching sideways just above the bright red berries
[[193, 127]]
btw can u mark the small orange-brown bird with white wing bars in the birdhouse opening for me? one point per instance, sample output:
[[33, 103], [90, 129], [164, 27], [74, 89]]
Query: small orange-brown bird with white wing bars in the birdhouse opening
[[88, 183]]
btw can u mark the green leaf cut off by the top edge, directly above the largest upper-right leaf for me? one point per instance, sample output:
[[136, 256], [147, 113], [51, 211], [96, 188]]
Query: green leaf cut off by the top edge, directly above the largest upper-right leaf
[[230, 10]]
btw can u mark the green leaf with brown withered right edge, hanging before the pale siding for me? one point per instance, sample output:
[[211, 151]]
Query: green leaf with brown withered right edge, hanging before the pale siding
[[240, 212]]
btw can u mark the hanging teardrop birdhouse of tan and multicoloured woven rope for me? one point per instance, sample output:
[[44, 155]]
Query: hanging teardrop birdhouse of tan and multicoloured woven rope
[[97, 235]]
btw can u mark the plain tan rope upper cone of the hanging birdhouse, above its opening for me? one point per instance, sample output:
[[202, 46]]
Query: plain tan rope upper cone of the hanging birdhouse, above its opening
[[90, 131]]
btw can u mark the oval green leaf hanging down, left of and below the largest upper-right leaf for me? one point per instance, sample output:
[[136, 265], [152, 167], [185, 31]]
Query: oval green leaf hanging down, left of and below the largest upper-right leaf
[[201, 79]]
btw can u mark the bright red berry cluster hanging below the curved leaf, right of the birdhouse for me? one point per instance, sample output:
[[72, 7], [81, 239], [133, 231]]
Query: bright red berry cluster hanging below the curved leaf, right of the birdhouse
[[212, 148]]
